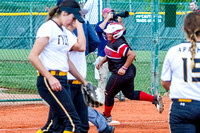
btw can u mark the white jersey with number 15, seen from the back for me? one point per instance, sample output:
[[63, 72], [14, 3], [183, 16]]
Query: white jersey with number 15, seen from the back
[[185, 82]]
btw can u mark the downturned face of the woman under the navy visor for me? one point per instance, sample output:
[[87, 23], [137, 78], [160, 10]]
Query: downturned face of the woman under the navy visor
[[67, 19]]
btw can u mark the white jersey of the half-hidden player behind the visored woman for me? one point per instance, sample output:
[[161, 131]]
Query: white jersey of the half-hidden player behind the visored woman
[[78, 59]]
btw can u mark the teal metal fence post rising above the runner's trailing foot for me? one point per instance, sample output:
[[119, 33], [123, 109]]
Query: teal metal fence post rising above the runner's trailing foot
[[155, 38]]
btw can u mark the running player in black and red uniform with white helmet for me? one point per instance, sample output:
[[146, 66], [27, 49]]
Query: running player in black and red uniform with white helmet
[[120, 57]]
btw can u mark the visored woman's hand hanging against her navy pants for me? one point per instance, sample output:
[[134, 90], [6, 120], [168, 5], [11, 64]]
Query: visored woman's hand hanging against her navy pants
[[54, 84]]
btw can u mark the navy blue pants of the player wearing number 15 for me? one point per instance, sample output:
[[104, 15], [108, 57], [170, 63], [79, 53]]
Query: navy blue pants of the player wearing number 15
[[185, 117]]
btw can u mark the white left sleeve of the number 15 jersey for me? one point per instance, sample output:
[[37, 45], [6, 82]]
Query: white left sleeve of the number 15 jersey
[[166, 70]]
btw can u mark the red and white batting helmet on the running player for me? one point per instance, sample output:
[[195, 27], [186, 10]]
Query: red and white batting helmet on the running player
[[116, 29]]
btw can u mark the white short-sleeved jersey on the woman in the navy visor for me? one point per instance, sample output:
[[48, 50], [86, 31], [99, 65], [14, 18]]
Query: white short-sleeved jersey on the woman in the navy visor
[[54, 55]]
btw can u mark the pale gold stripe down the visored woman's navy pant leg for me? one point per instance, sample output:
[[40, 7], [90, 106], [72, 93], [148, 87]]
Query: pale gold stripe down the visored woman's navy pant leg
[[70, 119]]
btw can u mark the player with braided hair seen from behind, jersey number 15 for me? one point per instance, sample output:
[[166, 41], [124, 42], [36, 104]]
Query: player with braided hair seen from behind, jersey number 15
[[181, 74]]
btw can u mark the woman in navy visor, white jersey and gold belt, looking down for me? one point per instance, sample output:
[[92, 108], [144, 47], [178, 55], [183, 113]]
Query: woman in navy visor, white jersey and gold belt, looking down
[[49, 57]]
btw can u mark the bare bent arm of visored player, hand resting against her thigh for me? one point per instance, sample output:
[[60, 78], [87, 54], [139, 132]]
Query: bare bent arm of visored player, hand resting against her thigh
[[38, 47]]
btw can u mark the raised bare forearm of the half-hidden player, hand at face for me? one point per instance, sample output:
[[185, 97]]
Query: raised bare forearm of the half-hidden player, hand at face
[[80, 45]]
